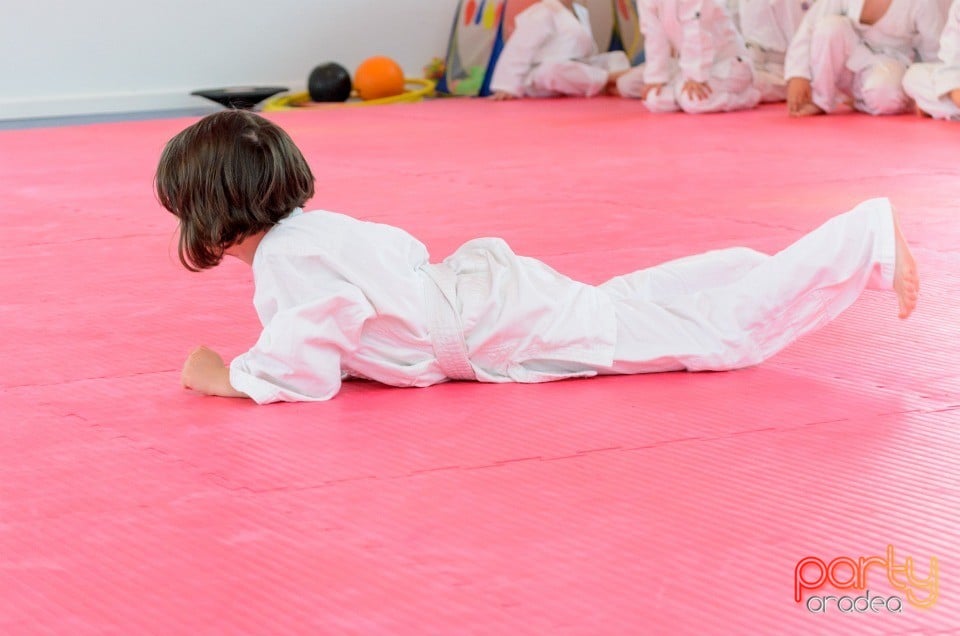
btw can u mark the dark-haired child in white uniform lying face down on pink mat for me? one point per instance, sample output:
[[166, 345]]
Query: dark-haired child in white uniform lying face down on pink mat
[[342, 298]]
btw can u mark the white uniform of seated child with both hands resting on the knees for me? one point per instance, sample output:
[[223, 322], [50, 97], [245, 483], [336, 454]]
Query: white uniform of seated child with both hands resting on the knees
[[691, 40]]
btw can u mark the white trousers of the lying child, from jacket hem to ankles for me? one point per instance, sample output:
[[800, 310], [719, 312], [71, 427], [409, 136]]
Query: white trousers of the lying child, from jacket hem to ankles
[[737, 307]]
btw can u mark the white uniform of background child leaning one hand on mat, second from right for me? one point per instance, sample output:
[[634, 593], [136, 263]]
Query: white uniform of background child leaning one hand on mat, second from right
[[844, 58]]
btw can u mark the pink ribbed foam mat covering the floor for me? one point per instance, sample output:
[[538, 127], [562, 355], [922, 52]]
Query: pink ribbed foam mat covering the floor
[[675, 503]]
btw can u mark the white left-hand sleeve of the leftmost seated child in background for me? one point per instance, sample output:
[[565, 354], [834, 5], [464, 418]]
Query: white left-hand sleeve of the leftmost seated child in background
[[534, 27]]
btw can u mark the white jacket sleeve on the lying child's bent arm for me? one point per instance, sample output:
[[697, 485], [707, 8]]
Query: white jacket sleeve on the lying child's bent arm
[[297, 357]]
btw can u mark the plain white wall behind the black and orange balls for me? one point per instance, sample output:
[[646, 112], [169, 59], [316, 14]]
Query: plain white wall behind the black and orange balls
[[63, 57]]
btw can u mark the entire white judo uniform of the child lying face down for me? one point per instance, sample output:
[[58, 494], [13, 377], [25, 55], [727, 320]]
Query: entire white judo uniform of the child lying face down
[[341, 298]]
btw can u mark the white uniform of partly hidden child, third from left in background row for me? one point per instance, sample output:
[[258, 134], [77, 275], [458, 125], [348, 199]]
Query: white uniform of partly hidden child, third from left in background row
[[767, 27]]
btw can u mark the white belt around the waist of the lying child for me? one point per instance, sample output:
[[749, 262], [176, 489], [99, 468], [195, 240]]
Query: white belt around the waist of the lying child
[[446, 330]]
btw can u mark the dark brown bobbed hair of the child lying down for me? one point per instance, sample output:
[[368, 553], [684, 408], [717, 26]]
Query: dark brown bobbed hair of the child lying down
[[229, 176]]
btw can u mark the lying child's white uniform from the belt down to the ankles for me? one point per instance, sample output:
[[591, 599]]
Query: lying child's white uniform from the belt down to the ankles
[[498, 317]]
